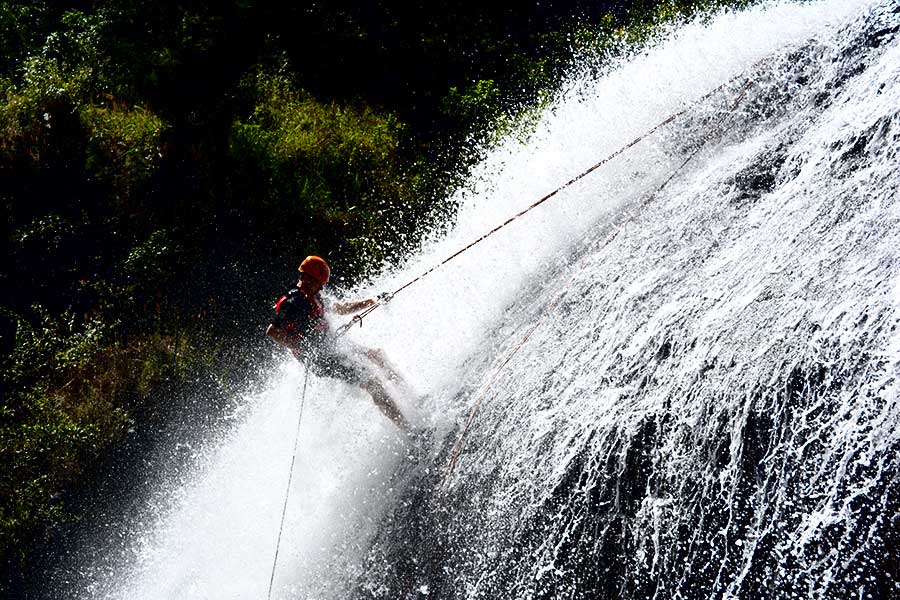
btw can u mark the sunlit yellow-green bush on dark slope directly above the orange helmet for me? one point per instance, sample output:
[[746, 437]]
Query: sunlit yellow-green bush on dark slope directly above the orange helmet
[[334, 166]]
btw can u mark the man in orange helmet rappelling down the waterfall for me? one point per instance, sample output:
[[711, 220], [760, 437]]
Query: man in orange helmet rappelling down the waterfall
[[300, 325]]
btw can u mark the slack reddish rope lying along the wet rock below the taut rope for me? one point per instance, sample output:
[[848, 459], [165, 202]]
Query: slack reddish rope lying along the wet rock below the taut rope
[[457, 448]]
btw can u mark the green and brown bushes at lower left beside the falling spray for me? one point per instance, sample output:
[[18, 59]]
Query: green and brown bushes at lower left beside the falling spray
[[70, 388]]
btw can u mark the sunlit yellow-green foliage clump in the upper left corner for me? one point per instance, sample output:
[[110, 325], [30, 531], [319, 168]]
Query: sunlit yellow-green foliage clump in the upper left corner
[[54, 106]]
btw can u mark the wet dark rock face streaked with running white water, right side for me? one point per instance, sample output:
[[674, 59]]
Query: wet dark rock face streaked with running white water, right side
[[719, 418]]
